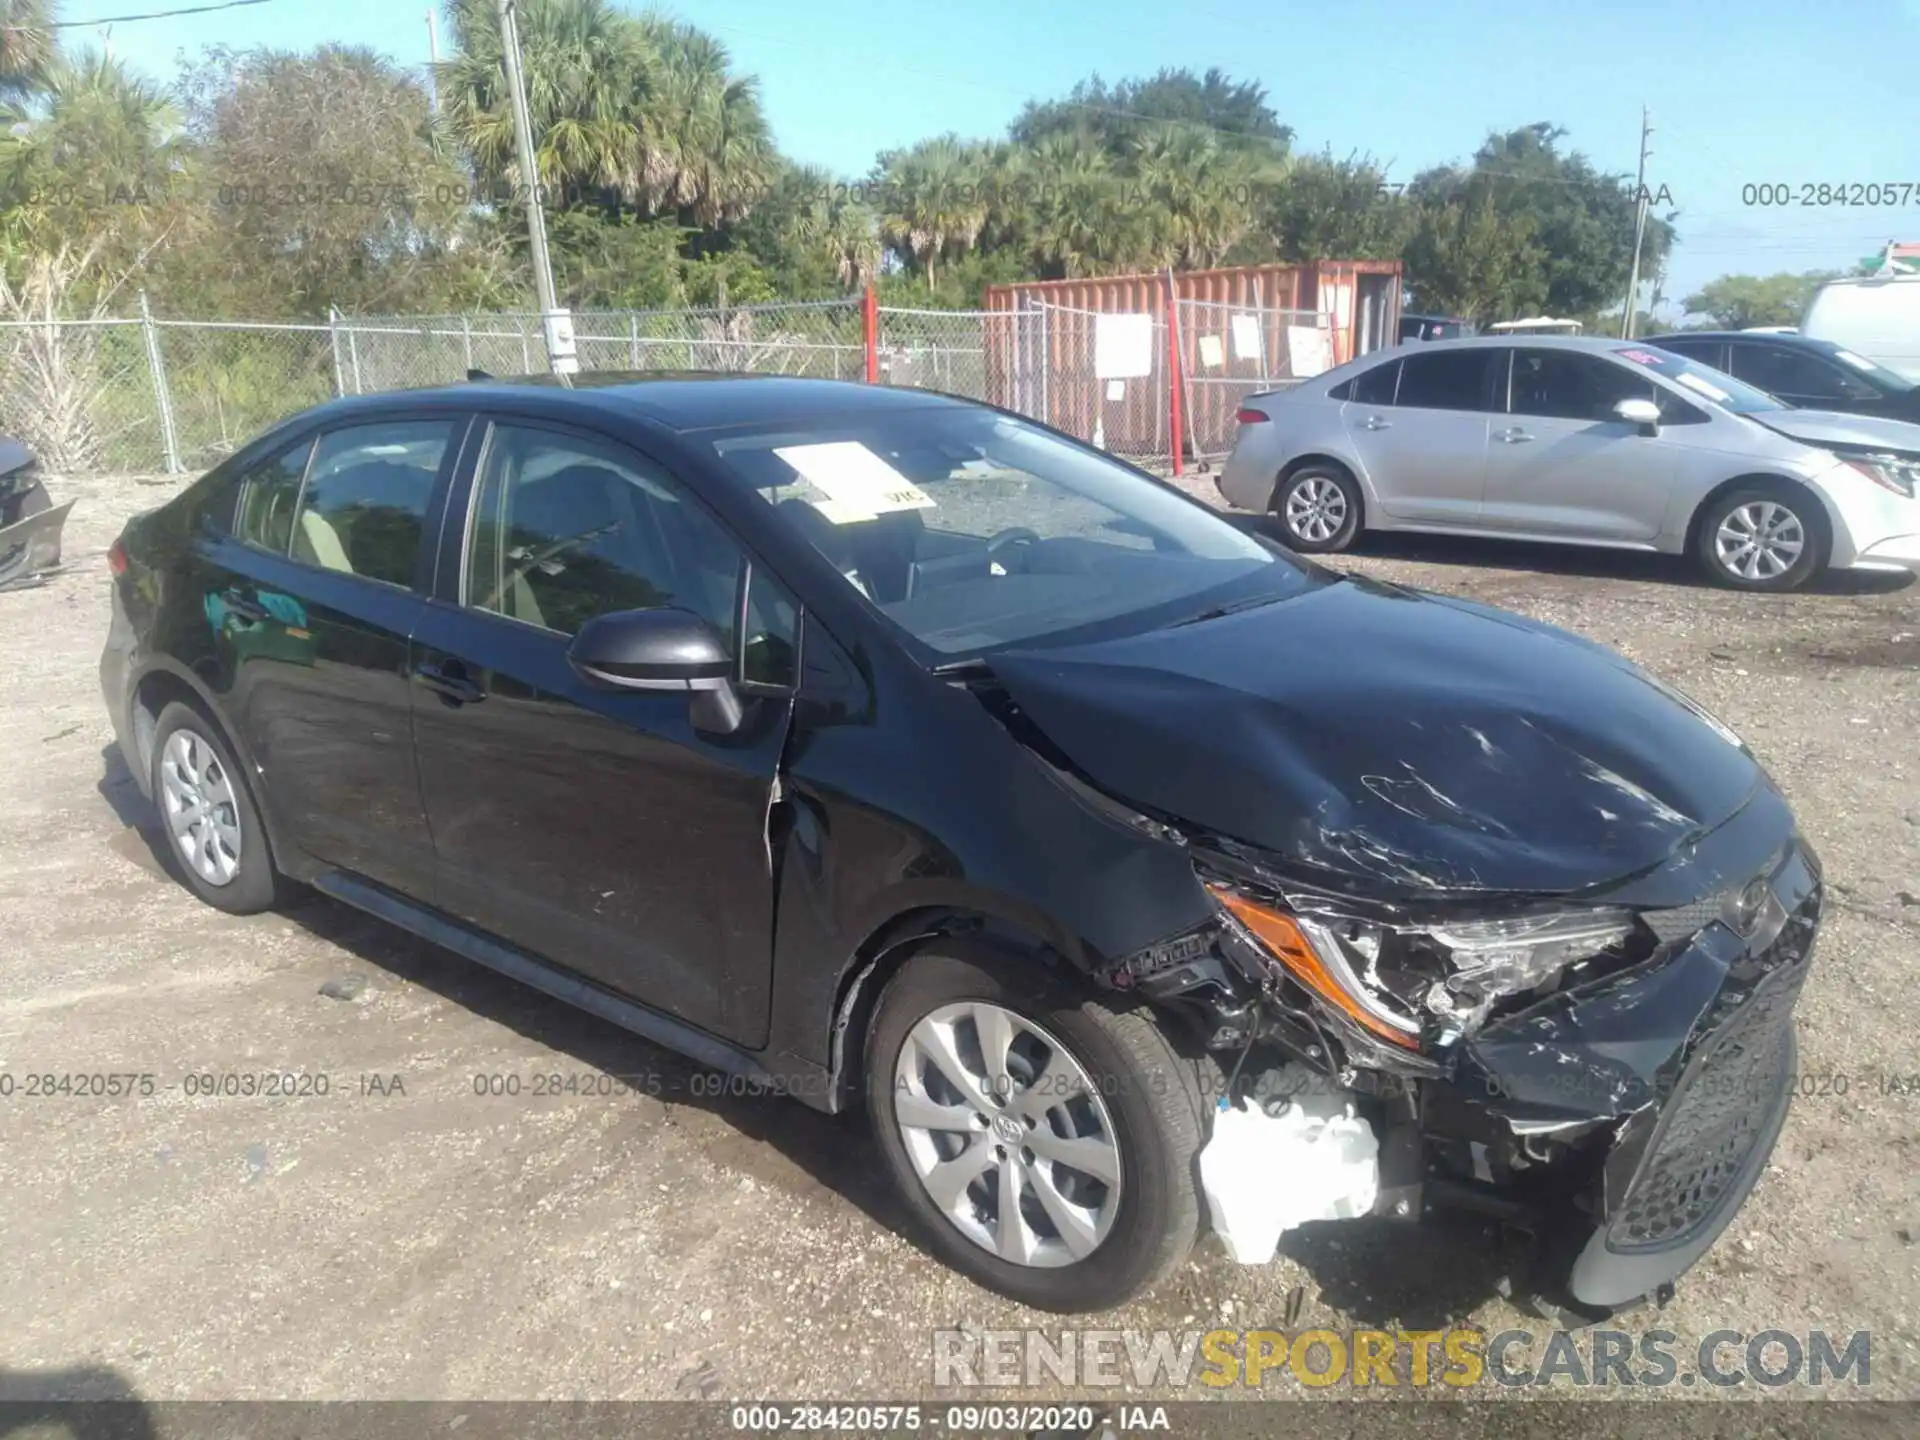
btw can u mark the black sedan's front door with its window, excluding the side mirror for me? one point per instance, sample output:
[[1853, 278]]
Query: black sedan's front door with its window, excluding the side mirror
[[602, 830]]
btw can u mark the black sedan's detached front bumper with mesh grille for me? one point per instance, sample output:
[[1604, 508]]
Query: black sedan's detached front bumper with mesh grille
[[1629, 1120]]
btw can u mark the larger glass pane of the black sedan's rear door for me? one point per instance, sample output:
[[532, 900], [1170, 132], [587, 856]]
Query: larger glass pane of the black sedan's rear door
[[366, 500]]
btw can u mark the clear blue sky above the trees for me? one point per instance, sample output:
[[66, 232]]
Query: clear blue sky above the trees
[[1771, 91]]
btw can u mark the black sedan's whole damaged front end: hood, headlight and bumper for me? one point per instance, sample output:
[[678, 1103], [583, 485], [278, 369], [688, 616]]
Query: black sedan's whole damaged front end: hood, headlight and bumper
[[1537, 917]]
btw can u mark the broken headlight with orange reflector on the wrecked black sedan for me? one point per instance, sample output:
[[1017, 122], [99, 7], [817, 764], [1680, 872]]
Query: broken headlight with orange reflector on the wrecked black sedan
[[1399, 982]]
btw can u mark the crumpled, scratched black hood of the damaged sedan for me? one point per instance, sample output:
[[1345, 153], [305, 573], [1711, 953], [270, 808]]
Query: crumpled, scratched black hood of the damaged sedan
[[1397, 738]]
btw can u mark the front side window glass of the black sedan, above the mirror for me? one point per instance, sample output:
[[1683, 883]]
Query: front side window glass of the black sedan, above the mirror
[[571, 527]]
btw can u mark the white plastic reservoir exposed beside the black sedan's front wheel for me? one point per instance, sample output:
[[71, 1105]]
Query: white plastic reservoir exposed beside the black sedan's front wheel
[[1264, 1174]]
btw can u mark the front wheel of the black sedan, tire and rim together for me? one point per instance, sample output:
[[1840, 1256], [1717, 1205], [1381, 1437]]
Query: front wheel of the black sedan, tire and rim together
[[1140, 1095]]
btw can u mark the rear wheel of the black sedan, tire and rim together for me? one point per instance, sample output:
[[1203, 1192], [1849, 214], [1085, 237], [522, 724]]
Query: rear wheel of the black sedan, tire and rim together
[[222, 857]]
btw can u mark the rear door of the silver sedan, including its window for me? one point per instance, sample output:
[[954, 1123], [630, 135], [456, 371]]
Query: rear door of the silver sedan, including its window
[[1426, 446]]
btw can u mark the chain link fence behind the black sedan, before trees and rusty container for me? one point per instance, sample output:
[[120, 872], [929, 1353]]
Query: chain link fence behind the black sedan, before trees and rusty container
[[149, 395]]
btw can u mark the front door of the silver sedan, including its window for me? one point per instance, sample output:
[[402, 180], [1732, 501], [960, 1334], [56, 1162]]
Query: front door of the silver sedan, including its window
[[1562, 464]]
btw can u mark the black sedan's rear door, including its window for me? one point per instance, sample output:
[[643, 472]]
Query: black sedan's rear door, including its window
[[310, 606]]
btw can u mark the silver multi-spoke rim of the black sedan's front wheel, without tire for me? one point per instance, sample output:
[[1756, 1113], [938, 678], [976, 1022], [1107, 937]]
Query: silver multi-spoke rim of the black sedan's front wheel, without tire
[[1007, 1134]]
